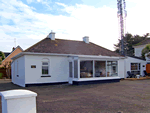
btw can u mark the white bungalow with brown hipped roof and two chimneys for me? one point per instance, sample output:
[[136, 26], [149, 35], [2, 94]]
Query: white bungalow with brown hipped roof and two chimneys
[[75, 62]]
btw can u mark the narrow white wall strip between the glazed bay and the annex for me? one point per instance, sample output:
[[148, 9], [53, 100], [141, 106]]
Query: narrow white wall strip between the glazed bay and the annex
[[121, 68]]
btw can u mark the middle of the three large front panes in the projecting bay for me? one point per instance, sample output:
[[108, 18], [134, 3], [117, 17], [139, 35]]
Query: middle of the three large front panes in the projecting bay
[[100, 69]]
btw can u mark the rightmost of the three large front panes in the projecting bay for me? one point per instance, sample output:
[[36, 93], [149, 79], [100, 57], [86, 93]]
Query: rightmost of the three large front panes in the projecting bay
[[112, 69]]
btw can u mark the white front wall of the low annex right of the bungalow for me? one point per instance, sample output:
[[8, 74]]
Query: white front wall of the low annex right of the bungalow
[[130, 60]]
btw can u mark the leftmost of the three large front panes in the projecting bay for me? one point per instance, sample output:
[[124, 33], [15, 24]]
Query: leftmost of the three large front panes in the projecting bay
[[86, 69]]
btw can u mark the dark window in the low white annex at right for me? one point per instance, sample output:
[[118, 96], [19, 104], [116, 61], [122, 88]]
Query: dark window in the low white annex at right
[[135, 68]]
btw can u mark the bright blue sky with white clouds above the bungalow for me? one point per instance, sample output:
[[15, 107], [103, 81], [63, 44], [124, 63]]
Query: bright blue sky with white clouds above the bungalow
[[29, 21]]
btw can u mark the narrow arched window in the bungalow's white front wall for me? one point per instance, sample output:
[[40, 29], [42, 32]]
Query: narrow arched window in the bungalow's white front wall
[[45, 67]]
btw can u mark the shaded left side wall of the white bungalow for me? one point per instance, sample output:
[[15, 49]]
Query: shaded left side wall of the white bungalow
[[18, 70]]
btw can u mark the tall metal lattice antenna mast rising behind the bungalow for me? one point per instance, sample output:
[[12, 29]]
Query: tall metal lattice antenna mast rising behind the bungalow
[[122, 13]]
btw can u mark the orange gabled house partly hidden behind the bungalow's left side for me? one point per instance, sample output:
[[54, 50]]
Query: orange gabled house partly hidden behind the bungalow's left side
[[8, 56]]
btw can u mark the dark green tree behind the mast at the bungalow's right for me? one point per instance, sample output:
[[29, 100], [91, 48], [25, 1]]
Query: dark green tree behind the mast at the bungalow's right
[[129, 41]]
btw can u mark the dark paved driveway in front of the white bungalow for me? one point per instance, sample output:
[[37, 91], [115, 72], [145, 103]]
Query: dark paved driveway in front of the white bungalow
[[125, 96]]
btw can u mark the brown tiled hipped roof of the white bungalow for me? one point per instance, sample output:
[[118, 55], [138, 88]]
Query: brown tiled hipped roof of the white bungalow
[[61, 46]]
